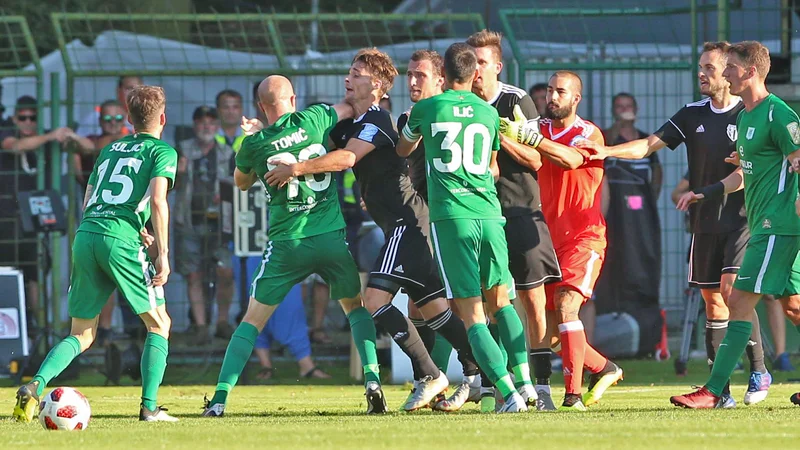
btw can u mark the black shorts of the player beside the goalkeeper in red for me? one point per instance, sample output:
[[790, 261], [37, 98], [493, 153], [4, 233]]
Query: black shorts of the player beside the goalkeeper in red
[[532, 259]]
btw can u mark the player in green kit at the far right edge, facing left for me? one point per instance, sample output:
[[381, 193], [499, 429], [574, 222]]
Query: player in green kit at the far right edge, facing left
[[767, 148]]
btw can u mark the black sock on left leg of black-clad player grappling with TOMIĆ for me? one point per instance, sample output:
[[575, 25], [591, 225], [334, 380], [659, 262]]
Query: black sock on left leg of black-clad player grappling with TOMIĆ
[[406, 336]]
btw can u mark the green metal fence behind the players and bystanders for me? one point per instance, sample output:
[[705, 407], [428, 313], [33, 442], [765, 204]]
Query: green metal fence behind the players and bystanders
[[196, 56]]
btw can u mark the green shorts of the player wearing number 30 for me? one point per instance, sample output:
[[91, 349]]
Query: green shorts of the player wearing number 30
[[471, 254]]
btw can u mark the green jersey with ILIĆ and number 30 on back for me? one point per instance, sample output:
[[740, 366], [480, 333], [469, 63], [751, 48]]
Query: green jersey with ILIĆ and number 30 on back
[[460, 184]]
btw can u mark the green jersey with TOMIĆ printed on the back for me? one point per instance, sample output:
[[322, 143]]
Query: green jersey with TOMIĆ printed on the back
[[309, 205]]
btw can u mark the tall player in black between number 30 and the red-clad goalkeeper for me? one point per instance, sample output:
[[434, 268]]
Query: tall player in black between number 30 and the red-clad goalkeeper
[[532, 259]]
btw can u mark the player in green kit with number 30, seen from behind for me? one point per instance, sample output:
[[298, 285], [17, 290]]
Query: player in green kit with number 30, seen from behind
[[461, 139]]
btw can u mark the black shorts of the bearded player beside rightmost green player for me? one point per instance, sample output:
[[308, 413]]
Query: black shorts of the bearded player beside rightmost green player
[[713, 254]]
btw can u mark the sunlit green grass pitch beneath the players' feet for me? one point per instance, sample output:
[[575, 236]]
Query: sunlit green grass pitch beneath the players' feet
[[633, 415]]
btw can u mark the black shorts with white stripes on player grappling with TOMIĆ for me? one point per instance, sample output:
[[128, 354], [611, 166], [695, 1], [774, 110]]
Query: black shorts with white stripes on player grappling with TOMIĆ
[[405, 261]]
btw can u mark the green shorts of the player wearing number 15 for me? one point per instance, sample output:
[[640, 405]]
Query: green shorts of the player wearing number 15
[[103, 263]]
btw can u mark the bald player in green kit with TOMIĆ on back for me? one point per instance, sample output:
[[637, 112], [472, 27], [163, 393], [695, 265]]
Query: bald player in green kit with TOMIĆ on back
[[306, 234]]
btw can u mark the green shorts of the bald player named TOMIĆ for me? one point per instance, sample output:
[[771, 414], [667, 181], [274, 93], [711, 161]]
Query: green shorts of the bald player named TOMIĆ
[[287, 263]]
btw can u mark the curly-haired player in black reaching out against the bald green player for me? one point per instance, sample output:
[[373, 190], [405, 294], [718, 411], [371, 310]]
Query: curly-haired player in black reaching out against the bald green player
[[405, 261]]
